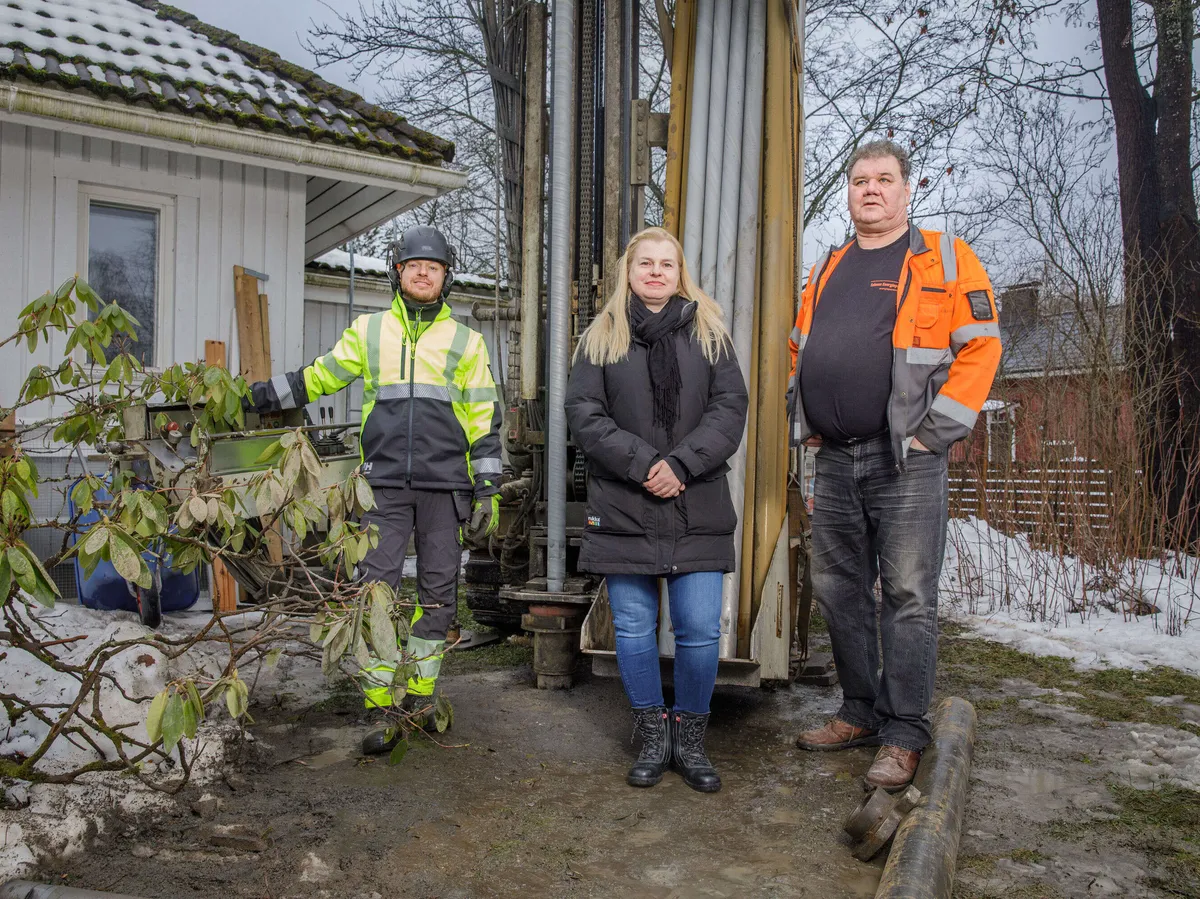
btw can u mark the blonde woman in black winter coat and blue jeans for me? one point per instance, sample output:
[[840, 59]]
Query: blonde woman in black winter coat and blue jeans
[[657, 404]]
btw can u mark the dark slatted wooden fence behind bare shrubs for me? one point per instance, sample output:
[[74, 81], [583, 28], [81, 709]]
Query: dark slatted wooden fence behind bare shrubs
[[1069, 505]]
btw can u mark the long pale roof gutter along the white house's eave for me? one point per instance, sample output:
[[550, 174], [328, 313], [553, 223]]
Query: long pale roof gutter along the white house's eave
[[211, 139]]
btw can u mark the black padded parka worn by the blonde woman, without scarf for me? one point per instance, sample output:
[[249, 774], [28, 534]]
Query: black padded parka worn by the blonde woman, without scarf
[[610, 411]]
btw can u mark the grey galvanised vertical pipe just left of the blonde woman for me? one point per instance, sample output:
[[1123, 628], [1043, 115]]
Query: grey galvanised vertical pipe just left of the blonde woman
[[562, 157]]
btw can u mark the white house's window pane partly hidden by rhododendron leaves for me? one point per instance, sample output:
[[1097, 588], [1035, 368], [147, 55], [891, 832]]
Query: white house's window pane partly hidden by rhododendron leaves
[[124, 268]]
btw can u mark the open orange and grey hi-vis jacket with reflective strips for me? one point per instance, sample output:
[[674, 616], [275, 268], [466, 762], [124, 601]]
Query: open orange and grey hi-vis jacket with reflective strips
[[946, 343]]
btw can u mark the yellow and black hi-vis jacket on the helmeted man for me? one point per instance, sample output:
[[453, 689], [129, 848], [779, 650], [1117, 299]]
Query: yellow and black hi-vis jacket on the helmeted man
[[431, 413]]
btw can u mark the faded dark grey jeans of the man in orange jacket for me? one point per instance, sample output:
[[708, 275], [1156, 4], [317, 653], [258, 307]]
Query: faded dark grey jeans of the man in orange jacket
[[871, 520]]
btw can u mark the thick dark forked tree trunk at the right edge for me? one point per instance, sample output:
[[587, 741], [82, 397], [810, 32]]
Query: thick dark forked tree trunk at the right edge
[[1159, 221]]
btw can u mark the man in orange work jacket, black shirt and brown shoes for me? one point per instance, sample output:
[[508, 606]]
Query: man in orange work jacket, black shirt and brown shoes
[[893, 353]]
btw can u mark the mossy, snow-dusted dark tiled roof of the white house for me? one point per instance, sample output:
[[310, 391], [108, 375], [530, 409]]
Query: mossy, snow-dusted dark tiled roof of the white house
[[148, 53]]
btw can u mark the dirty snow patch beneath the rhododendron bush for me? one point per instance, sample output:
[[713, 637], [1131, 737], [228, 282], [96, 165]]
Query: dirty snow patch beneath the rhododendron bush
[[61, 819]]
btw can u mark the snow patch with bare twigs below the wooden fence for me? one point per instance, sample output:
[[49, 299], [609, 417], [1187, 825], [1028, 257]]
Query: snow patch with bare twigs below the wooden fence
[[1138, 615]]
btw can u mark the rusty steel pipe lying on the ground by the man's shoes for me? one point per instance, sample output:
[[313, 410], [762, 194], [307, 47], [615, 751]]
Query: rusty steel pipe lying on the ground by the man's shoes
[[927, 844]]
